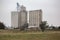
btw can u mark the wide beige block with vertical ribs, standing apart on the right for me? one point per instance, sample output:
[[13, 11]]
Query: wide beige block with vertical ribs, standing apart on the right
[[35, 18]]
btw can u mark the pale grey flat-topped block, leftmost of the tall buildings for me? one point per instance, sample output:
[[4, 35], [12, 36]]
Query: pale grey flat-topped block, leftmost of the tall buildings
[[14, 19]]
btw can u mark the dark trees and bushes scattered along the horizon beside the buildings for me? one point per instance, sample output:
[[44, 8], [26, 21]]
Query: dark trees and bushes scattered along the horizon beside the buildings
[[42, 26]]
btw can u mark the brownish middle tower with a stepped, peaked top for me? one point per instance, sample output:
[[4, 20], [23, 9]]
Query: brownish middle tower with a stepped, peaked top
[[22, 16]]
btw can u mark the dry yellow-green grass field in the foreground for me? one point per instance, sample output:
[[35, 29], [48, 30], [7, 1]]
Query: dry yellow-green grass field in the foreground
[[17, 35]]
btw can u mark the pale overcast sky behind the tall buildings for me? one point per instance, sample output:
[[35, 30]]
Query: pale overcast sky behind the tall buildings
[[50, 8]]
